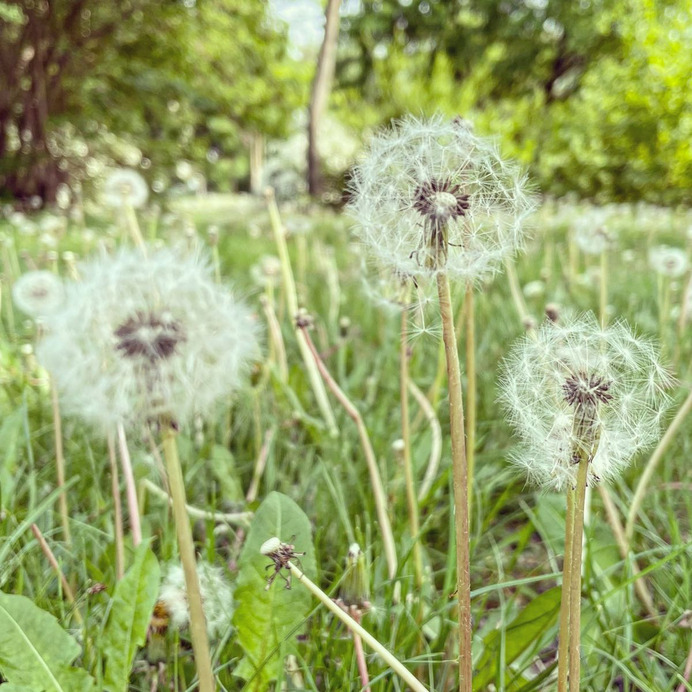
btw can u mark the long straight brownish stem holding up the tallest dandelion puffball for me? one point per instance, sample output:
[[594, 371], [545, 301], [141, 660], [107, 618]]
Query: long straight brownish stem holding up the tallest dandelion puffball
[[460, 481]]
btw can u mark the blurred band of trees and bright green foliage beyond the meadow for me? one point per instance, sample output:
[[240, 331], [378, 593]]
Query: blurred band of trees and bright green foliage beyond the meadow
[[594, 96]]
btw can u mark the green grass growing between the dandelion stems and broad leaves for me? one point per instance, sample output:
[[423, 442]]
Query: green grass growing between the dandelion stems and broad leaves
[[516, 532]]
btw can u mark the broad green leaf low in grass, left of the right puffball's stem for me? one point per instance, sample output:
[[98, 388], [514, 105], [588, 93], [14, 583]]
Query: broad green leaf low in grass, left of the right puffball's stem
[[520, 634]]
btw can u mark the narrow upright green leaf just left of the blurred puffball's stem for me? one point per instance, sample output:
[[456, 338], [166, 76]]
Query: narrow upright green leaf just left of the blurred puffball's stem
[[126, 629]]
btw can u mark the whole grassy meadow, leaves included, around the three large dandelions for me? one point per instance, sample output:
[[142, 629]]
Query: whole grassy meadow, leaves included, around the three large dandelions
[[272, 436]]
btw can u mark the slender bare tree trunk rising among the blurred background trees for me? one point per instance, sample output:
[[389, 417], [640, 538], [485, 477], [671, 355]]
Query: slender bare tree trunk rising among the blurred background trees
[[321, 87]]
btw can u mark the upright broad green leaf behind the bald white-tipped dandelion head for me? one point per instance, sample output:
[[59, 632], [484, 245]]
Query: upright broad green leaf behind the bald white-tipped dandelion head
[[267, 620]]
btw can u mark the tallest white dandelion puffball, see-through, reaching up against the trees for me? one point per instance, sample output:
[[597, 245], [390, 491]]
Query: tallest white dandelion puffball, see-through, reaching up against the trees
[[432, 197]]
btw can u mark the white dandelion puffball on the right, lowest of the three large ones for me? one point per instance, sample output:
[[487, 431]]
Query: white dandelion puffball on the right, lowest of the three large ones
[[578, 389]]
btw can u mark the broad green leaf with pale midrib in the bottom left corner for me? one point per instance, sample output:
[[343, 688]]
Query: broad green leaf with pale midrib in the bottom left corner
[[35, 652]]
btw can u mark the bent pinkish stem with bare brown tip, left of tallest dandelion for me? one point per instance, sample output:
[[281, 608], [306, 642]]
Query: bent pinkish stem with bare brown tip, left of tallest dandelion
[[375, 480]]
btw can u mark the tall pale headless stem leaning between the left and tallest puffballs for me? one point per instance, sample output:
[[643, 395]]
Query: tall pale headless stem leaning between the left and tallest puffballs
[[292, 303]]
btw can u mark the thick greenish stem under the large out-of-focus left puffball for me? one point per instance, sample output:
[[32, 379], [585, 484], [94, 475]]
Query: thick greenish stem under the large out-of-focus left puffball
[[198, 628]]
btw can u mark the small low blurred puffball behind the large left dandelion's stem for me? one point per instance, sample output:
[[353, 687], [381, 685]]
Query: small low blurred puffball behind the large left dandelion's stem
[[217, 598]]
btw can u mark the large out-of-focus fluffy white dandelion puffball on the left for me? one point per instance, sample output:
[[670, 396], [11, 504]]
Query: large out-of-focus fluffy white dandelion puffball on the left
[[143, 337]]
